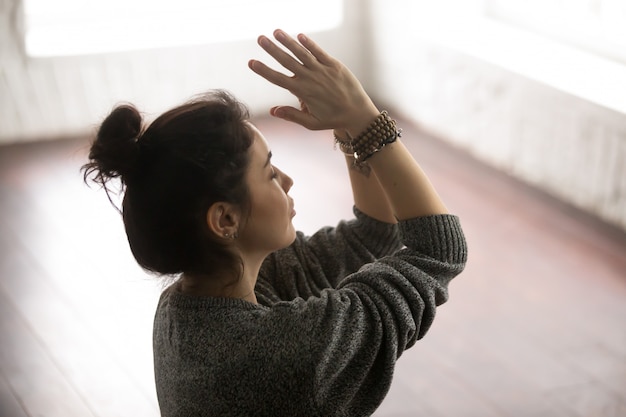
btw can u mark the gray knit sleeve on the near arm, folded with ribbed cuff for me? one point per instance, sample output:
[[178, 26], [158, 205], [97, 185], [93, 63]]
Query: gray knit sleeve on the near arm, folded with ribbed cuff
[[357, 332]]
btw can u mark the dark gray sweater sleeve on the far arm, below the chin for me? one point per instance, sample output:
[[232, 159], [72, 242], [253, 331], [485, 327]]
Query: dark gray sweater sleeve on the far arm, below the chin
[[311, 264]]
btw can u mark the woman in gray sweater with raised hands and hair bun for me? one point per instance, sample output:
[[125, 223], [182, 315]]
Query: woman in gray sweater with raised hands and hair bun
[[261, 320]]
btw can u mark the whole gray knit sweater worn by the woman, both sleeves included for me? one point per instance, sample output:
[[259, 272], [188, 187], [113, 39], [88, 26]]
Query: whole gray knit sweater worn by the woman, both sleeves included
[[336, 310]]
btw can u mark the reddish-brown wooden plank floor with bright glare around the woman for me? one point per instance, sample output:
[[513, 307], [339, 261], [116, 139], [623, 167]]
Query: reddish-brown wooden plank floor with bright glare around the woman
[[535, 326]]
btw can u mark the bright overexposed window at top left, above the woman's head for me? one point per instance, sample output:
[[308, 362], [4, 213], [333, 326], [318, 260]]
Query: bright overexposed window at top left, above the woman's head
[[79, 27]]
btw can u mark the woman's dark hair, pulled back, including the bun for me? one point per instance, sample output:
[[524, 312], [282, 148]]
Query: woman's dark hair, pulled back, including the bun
[[189, 158]]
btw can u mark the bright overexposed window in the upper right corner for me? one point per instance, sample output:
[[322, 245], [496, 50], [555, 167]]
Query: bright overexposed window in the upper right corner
[[575, 46]]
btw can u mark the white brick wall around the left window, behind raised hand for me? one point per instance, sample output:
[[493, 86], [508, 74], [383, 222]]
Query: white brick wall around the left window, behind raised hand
[[42, 98]]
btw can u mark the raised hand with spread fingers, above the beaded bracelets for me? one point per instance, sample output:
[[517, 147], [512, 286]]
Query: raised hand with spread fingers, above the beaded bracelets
[[330, 96]]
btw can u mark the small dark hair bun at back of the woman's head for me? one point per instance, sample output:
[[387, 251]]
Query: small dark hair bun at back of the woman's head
[[114, 152]]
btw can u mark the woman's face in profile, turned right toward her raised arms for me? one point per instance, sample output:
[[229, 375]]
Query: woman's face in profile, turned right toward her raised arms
[[268, 226]]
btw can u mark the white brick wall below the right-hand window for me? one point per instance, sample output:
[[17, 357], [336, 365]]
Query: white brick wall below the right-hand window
[[569, 145]]
